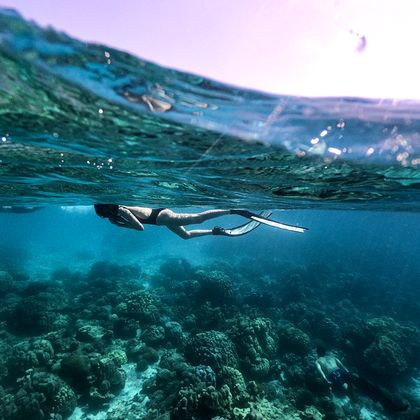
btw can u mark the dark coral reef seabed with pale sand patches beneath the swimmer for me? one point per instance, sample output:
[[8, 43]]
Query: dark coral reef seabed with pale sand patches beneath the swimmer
[[207, 342]]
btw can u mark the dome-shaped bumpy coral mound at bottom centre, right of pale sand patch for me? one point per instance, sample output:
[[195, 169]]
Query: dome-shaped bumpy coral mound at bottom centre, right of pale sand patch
[[212, 348]]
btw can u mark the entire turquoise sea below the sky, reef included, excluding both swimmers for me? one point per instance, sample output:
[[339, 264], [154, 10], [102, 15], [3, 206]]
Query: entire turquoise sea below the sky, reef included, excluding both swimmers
[[102, 321]]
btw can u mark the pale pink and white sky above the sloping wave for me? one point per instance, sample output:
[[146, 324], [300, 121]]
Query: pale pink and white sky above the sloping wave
[[363, 48]]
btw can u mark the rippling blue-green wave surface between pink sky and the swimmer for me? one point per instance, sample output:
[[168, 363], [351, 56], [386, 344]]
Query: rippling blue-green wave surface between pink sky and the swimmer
[[81, 123]]
